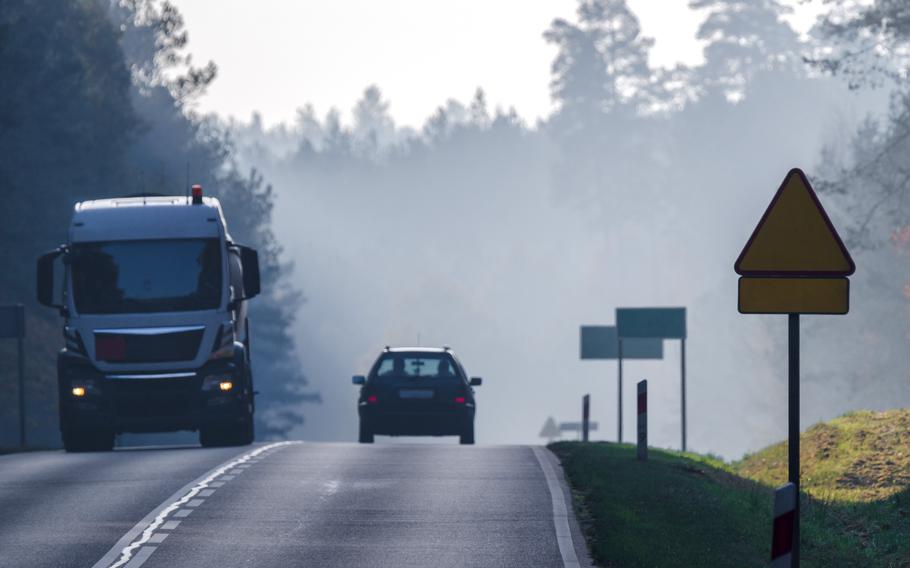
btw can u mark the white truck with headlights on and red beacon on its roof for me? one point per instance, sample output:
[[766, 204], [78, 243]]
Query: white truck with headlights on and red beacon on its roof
[[153, 292]]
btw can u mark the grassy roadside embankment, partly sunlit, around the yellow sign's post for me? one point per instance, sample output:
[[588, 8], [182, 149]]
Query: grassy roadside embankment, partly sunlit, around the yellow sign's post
[[690, 510]]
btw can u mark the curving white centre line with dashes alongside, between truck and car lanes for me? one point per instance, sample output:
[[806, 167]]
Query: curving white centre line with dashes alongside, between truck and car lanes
[[122, 552]]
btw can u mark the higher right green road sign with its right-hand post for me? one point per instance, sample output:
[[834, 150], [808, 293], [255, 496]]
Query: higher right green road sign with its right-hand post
[[657, 324]]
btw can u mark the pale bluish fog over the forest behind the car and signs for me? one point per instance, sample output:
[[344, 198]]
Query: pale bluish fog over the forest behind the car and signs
[[500, 238]]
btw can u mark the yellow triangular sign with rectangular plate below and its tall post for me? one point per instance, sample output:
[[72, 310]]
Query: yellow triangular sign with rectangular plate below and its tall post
[[794, 263]]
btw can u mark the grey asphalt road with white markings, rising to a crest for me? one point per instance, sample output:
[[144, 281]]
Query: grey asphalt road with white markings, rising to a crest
[[297, 504]]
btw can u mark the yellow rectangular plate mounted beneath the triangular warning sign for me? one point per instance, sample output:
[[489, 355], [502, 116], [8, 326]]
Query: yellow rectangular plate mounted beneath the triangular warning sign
[[794, 295]]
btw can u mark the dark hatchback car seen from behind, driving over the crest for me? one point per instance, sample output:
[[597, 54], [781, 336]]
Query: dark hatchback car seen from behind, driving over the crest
[[417, 391]]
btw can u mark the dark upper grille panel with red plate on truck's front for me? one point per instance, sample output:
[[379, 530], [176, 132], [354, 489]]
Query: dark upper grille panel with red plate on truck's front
[[130, 346]]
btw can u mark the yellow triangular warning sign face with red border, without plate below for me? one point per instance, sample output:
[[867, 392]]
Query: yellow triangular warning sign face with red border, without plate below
[[795, 237]]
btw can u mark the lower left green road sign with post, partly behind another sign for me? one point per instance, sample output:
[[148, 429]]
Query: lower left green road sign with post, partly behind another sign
[[603, 342]]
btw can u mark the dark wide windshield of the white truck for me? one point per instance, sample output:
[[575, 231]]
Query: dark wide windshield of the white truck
[[146, 276]]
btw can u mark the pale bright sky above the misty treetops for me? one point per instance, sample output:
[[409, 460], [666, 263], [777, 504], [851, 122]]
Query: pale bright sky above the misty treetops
[[275, 55]]
